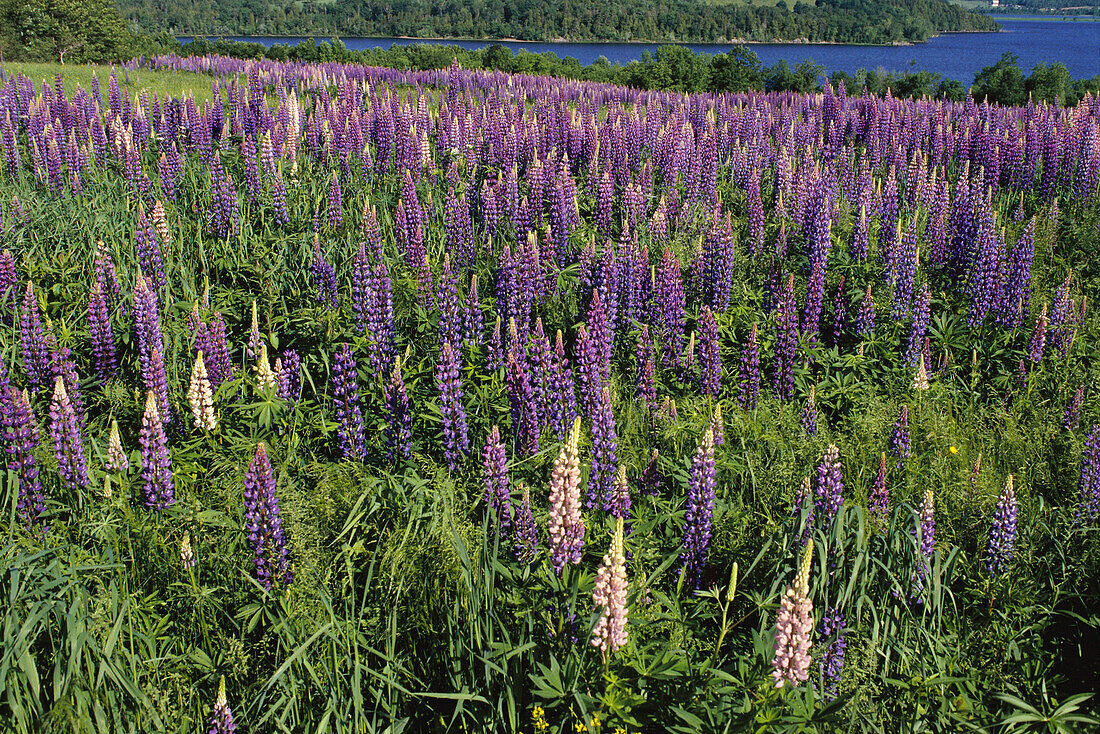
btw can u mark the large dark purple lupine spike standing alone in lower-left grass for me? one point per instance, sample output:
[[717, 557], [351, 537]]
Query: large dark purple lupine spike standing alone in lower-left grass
[[262, 522]]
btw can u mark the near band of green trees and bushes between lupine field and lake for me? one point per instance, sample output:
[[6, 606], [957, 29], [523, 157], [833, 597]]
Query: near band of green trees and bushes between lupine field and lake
[[91, 31]]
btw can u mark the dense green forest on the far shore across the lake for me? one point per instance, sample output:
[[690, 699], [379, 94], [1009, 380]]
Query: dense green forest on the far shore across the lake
[[848, 21]]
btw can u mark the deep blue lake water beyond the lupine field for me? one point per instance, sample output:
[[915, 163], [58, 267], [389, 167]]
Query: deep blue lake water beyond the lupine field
[[954, 56]]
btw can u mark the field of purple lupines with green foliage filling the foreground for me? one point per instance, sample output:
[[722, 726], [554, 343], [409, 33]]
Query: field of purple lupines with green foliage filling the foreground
[[370, 401]]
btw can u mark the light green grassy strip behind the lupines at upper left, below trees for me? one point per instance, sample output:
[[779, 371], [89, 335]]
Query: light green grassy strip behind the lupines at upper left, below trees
[[158, 83]]
